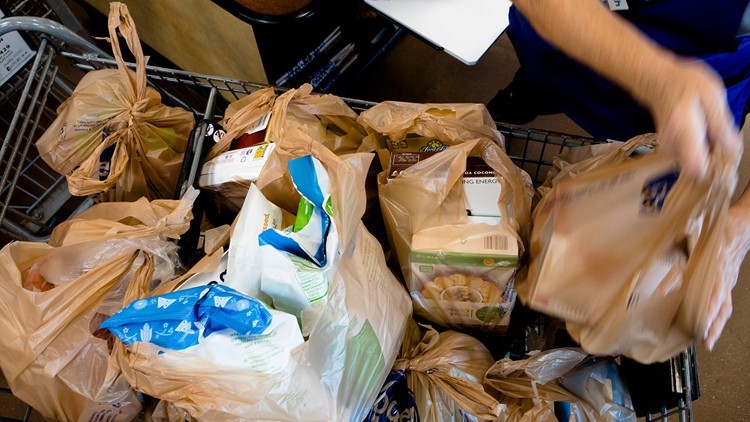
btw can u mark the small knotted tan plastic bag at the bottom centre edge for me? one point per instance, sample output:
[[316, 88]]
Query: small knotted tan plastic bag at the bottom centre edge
[[437, 377]]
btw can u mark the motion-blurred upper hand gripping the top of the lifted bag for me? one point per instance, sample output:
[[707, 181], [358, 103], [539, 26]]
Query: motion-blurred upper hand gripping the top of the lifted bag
[[689, 106]]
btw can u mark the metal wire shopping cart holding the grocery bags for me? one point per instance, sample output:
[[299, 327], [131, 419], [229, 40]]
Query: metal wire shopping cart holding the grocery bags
[[33, 198]]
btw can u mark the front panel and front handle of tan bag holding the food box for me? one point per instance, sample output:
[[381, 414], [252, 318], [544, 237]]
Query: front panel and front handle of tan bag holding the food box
[[459, 271]]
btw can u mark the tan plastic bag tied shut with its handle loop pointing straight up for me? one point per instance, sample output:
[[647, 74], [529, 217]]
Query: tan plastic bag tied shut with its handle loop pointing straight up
[[113, 135]]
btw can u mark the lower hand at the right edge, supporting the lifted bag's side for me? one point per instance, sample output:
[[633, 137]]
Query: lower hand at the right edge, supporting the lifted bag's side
[[734, 248]]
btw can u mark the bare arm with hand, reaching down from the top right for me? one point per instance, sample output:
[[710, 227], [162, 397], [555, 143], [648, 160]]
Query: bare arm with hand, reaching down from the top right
[[686, 98]]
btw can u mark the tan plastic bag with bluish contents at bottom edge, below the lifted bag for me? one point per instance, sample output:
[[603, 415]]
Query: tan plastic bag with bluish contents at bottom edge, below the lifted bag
[[529, 387]]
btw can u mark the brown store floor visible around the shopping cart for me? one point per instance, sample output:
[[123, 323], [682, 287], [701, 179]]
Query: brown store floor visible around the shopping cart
[[413, 71]]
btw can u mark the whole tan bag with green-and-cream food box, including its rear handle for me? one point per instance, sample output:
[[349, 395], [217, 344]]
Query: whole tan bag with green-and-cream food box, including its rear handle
[[459, 271]]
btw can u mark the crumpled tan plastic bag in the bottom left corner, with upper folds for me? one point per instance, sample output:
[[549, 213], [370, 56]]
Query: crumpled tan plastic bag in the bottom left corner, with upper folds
[[54, 357]]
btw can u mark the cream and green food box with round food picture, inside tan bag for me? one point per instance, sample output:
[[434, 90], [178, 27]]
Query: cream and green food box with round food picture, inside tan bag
[[462, 275]]
